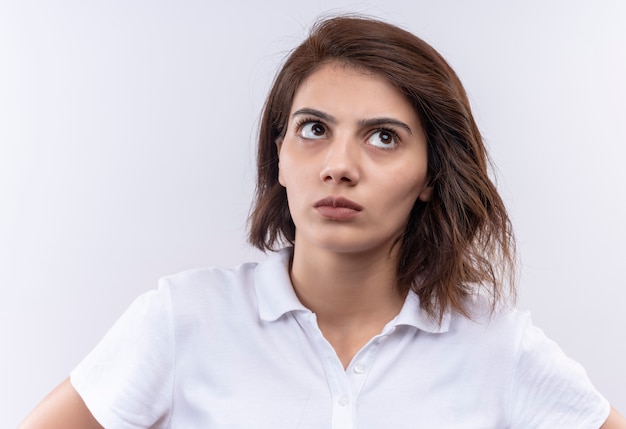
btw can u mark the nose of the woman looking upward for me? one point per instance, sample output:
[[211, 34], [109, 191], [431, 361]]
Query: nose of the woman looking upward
[[341, 162]]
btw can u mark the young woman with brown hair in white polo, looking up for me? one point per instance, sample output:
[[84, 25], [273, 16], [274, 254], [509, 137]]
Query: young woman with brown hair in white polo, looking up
[[389, 305]]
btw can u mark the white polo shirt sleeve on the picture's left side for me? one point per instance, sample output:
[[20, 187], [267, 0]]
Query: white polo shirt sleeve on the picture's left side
[[127, 380]]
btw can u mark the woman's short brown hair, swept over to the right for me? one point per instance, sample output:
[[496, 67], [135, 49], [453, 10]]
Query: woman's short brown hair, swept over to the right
[[458, 242]]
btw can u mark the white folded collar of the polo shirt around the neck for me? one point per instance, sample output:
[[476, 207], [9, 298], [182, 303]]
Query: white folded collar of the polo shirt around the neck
[[276, 296]]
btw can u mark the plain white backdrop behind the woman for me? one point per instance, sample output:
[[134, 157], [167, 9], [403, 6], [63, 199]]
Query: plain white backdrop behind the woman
[[127, 133]]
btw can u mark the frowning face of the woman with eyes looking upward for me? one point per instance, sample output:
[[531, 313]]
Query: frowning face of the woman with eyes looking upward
[[353, 161]]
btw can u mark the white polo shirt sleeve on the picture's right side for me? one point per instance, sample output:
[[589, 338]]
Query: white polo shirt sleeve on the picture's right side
[[550, 390]]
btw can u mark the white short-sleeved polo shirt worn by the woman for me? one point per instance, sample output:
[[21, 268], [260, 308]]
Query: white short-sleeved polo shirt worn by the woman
[[215, 348]]
